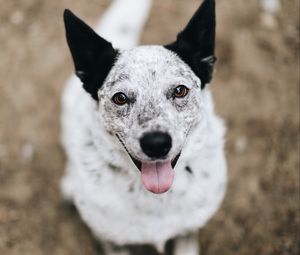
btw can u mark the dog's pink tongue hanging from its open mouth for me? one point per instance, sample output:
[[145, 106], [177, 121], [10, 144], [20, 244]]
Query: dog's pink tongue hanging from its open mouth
[[157, 177]]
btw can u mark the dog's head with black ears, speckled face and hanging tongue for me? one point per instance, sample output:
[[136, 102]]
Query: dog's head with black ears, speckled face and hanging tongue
[[150, 96]]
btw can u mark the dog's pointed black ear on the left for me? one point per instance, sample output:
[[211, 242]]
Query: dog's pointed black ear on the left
[[92, 55]]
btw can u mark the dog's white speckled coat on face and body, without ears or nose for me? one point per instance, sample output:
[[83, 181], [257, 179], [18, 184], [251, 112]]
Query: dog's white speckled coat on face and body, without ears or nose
[[101, 179]]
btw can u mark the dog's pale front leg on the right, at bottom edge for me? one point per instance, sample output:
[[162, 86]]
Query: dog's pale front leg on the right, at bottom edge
[[187, 245]]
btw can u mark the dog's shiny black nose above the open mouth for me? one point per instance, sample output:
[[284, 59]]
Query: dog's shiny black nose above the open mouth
[[156, 144]]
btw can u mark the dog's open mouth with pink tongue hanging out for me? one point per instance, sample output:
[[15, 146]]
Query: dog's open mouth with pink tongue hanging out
[[157, 176]]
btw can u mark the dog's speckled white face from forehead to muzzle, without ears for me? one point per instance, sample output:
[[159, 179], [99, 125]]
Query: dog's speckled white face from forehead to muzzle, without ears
[[150, 90]]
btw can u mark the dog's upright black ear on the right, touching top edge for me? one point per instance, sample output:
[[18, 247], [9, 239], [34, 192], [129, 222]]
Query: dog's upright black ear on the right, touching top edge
[[196, 43]]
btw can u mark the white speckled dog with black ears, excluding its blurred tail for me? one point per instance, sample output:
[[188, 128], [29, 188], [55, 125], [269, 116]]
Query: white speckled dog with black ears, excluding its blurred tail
[[145, 148]]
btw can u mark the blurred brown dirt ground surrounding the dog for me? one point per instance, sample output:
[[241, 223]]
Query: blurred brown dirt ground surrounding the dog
[[256, 89]]
